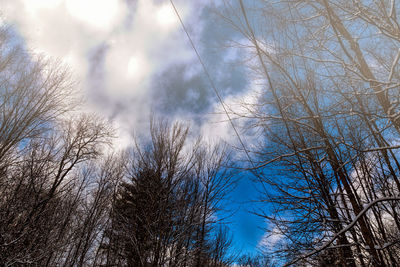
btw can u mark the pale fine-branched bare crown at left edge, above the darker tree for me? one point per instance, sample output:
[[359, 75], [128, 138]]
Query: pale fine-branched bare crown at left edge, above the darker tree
[[34, 92]]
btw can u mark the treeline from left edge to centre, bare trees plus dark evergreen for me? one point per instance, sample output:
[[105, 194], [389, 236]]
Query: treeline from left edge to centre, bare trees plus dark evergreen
[[67, 200]]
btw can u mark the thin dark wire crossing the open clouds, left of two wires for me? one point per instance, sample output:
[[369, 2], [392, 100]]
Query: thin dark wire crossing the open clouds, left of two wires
[[212, 83]]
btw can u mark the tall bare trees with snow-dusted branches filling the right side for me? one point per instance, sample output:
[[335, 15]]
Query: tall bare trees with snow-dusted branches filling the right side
[[329, 117]]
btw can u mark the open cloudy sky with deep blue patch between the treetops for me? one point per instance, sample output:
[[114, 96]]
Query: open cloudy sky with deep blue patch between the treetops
[[132, 59]]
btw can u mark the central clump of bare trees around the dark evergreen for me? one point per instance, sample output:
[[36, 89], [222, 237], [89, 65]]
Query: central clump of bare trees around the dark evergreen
[[163, 212]]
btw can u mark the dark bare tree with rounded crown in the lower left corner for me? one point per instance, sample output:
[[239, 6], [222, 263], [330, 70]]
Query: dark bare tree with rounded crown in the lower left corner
[[43, 190]]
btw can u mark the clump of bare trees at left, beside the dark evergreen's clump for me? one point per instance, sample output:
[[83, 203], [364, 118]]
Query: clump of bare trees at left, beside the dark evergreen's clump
[[47, 163]]
